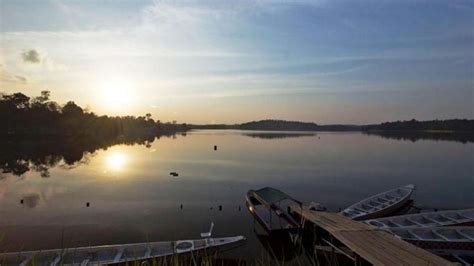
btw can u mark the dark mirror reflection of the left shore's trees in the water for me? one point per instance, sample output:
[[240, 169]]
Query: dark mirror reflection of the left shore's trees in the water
[[20, 156]]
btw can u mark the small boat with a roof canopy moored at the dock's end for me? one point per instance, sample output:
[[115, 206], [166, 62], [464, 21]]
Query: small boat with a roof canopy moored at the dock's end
[[268, 204]]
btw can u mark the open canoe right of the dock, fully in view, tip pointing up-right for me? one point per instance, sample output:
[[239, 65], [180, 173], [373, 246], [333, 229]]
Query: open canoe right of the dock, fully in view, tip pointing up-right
[[380, 205]]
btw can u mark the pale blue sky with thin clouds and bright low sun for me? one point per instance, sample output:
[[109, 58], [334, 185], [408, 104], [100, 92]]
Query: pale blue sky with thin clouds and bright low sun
[[202, 62]]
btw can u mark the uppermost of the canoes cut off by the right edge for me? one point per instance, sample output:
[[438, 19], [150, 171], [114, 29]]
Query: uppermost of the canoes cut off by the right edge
[[426, 219]]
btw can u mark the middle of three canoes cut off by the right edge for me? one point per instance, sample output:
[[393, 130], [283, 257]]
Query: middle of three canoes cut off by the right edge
[[438, 238]]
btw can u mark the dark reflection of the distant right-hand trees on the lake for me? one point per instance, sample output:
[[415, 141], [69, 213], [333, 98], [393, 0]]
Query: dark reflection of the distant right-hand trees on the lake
[[463, 137]]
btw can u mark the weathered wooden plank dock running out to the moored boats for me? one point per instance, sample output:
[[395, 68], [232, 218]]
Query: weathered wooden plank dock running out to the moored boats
[[366, 242]]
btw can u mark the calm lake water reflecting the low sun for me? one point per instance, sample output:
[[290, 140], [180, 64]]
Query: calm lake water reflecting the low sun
[[133, 197]]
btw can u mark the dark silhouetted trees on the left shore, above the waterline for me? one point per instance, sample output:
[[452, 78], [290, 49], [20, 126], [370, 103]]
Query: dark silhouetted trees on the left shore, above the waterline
[[22, 116]]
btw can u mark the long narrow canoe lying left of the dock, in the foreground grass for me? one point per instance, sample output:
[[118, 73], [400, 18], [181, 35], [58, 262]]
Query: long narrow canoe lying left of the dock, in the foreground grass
[[113, 254]]
